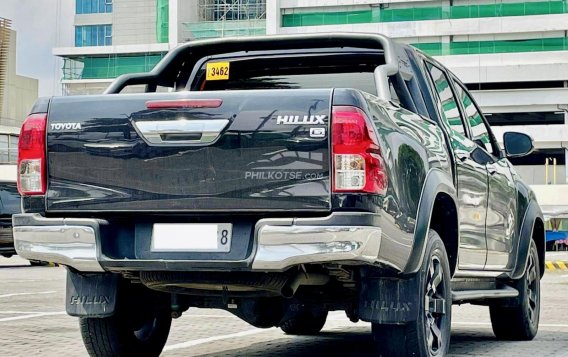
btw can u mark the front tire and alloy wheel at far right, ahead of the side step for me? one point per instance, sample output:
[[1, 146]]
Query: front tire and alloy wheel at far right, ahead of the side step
[[520, 321]]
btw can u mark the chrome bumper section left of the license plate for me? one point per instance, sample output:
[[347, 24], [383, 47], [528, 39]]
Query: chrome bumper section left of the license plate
[[71, 245]]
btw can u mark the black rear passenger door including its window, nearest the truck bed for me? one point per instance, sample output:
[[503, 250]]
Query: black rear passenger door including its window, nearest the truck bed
[[471, 176]]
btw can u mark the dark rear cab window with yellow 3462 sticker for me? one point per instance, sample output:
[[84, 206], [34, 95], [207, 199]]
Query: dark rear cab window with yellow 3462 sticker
[[295, 72]]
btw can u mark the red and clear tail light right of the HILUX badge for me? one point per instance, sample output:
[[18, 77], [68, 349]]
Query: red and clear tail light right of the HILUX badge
[[357, 162]]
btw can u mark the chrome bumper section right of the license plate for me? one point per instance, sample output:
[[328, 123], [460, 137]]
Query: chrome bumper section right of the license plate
[[280, 247]]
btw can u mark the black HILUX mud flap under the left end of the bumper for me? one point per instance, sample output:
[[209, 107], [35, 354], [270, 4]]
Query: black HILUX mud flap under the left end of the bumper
[[91, 295]]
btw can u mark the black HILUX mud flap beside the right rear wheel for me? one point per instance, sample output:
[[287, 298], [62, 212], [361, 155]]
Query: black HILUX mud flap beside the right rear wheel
[[389, 300]]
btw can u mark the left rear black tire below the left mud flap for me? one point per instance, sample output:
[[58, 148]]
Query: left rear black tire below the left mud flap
[[117, 336]]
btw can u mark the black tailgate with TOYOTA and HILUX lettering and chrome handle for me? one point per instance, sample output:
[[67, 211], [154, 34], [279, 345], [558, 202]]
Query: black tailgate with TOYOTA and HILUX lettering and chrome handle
[[190, 151]]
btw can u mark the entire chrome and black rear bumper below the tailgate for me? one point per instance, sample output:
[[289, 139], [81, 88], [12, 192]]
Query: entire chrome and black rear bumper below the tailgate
[[347, 238]]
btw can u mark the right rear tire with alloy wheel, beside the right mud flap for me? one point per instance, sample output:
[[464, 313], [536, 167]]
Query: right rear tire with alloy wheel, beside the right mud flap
[[430, 334]]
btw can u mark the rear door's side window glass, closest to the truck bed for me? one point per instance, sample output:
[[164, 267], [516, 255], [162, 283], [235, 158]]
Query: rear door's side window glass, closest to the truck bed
[[450, 110]]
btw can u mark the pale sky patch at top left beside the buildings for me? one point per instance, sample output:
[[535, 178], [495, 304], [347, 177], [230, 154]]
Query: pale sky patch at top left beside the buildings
[[41, 25]]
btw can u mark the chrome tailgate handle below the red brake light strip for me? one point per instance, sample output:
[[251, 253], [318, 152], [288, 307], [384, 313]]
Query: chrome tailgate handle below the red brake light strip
[[187, 132]]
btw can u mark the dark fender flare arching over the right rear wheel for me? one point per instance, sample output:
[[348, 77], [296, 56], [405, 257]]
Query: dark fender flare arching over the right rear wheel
[[437, 181]]
